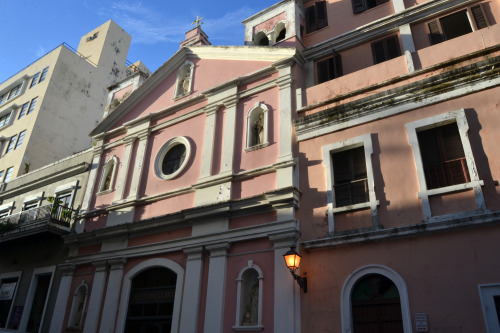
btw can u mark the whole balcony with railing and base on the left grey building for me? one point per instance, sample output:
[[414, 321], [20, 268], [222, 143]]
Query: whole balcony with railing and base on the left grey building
[[44, 221]]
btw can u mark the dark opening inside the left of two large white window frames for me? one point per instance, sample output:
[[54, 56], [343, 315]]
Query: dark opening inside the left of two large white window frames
[[350, 179]]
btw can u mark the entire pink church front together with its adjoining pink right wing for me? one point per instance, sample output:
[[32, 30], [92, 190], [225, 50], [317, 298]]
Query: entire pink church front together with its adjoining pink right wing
[[363, 133]]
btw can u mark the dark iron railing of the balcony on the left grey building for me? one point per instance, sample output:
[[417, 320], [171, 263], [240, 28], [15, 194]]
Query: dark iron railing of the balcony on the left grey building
[[52, 213]]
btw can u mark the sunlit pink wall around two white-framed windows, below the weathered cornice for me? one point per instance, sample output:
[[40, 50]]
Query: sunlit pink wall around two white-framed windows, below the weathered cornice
[[396, 184]]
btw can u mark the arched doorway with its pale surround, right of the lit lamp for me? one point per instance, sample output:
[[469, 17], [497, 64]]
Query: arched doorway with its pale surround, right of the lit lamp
[[375, 299]]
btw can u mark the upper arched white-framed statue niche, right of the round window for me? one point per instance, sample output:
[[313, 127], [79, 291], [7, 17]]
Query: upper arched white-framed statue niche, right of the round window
[[257, 126]]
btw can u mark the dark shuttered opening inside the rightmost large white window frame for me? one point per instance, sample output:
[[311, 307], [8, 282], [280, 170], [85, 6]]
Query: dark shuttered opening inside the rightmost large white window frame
[[443, 156]]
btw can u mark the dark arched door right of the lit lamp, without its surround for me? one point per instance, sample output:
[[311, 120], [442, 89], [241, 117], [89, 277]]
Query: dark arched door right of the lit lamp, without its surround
[[376, 305]]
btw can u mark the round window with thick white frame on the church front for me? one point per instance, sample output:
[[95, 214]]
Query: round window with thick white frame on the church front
[[172, 158]]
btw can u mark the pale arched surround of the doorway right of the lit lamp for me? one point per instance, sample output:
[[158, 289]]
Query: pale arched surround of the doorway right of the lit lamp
[[346, 304]]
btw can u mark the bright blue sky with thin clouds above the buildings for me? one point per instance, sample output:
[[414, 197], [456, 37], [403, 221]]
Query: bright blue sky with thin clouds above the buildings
[[32, 28]]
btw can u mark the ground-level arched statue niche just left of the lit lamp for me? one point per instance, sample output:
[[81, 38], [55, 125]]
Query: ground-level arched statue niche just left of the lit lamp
[[249, 298]]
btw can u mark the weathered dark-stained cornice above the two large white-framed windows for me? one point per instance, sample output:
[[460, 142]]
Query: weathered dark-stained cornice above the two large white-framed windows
[[458, 82]]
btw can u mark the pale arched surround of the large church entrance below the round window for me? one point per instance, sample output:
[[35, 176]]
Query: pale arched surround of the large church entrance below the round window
[[127, 285]]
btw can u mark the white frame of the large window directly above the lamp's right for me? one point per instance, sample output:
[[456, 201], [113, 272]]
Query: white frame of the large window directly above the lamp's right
[[372, 203]]
